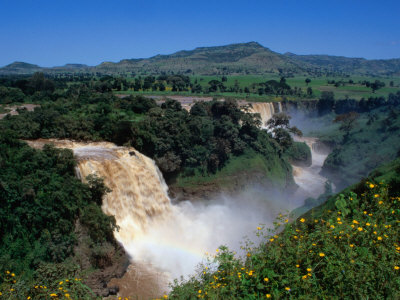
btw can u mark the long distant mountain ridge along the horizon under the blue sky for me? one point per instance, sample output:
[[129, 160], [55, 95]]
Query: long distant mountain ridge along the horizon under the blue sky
[[242, 58]]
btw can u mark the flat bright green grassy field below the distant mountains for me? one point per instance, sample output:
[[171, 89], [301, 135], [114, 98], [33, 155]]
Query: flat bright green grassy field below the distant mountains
[[318, 84]]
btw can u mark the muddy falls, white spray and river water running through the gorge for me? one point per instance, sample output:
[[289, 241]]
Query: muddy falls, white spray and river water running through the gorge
[[167, 239]]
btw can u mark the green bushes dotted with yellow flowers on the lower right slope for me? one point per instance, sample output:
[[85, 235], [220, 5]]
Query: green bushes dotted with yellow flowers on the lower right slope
[[334, 255]]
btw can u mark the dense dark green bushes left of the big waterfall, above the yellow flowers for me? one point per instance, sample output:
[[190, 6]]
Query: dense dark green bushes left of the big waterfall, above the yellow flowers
[[41, 200]]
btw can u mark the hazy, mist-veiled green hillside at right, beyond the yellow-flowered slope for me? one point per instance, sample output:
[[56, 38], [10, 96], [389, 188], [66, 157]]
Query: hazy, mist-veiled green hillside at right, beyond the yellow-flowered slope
[[373, 139]]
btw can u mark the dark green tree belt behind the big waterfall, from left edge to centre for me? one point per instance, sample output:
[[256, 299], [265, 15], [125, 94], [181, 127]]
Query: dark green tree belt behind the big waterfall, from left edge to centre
[[200, 141]]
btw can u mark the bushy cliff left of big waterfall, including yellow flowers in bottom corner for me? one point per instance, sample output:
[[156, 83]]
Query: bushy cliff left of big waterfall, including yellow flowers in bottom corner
[[43, 204]]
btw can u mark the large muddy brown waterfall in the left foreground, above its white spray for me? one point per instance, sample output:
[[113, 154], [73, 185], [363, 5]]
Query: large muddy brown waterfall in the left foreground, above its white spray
[[139, 193]]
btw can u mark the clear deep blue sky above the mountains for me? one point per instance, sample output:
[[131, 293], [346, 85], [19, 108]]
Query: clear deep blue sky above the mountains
[[56, 32]]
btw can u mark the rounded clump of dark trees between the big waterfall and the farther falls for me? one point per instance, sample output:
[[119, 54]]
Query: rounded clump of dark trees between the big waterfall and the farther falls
[[201, 142]]
